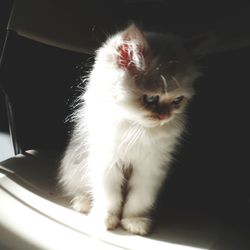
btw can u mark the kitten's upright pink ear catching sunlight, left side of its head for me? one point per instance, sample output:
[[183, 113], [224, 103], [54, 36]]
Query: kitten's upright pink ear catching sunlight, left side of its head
[[132, 50]]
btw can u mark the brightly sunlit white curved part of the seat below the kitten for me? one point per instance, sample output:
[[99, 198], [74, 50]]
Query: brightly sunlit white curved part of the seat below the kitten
[[28, 221]]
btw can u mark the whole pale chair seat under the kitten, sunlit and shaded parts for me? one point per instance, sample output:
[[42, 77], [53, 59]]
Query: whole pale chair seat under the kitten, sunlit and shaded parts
[[28, 184]]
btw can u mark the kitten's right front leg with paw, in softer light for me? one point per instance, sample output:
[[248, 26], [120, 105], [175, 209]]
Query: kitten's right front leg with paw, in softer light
[[143, 186]]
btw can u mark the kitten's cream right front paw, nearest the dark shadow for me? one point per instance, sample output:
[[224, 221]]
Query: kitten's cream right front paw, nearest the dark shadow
[[137, 225]]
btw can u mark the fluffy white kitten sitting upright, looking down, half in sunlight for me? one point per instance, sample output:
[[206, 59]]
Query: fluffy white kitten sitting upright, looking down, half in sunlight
[[127, 128]]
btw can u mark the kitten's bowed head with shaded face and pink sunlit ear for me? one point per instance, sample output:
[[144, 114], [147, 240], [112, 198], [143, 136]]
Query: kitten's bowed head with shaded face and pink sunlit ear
[[151, 75]]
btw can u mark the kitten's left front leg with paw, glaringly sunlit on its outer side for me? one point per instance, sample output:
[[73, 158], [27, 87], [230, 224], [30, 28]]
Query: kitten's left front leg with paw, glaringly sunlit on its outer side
[[107, 196]]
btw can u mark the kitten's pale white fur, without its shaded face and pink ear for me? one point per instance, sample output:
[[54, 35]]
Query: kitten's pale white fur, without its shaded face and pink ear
[[110, 135]]
